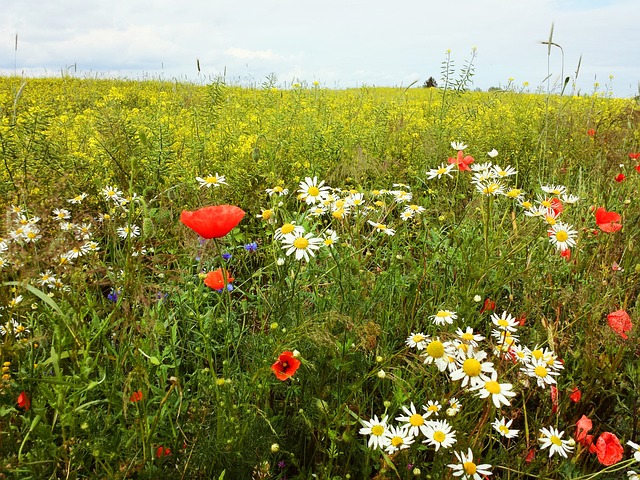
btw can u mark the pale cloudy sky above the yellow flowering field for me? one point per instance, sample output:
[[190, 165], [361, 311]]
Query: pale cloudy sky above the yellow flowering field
[[338, 43]]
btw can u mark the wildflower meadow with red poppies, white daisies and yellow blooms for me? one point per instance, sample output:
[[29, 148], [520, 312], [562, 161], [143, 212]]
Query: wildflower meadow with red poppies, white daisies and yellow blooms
[[292, 282]]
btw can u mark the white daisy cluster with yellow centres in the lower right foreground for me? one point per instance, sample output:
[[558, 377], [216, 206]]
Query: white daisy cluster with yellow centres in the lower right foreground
[[463, 360]]
